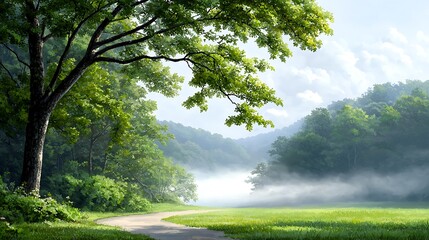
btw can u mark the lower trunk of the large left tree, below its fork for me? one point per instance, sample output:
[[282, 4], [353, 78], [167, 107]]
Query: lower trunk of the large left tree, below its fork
[[33, 152]]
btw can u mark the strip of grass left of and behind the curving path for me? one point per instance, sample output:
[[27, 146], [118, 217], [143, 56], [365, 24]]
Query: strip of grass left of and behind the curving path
[[84, 229]]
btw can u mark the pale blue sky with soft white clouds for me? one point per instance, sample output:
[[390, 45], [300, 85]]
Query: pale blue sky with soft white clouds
[[374, 41]]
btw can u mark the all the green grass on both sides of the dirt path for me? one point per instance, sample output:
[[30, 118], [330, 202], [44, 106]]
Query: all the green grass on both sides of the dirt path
[[369, 222]]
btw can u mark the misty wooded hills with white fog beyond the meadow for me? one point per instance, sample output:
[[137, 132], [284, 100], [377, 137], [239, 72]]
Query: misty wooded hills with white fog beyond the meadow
[[373, 148]]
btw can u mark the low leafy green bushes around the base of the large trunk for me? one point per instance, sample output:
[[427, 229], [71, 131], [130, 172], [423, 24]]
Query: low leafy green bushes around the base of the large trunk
[[17, 206]]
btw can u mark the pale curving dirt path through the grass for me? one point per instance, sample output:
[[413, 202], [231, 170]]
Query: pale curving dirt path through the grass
[[155, 227]]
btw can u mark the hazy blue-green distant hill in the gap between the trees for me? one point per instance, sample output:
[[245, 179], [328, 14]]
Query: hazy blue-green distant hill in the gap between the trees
[[198, 149]]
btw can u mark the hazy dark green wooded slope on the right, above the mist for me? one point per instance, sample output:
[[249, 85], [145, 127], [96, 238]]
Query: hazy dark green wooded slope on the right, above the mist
[[384, 131]]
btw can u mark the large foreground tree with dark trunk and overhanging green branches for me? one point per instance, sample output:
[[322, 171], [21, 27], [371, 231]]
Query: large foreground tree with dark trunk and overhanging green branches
[[139, 35]]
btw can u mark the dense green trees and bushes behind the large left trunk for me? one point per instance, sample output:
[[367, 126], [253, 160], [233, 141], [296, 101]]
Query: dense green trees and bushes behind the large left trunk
[[101, 151]]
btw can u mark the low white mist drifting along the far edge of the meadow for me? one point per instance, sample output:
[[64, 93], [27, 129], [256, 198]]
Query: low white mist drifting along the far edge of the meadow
[[229, 189]]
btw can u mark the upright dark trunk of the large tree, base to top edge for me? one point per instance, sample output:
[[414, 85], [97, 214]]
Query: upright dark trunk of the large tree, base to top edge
[[38, 112]]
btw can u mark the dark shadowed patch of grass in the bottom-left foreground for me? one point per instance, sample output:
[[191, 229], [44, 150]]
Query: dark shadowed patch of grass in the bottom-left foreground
[[75, 231]]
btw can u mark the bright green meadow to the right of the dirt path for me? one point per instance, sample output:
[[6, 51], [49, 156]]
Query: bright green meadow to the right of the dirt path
[[325, 223]]
